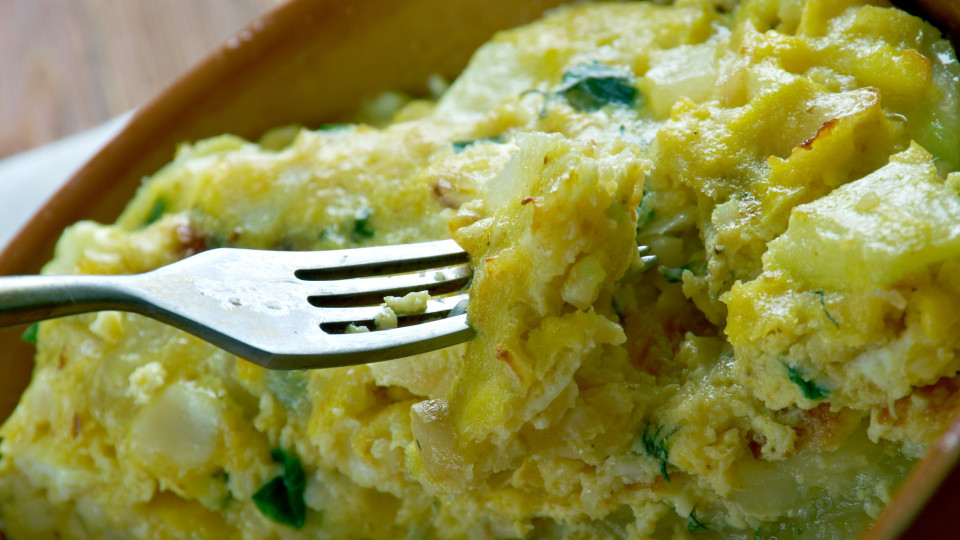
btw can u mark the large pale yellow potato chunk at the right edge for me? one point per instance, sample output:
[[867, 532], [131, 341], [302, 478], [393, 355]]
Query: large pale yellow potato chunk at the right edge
[[874, 231]]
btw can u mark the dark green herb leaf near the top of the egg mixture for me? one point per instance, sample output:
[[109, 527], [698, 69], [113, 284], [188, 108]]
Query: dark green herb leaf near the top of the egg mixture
[[590, 86]]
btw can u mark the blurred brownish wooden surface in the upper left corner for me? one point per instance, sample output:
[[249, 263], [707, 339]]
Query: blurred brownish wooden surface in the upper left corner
[[68, 65]]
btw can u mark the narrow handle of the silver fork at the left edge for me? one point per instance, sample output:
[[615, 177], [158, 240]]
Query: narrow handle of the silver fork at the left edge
[[25, 299]]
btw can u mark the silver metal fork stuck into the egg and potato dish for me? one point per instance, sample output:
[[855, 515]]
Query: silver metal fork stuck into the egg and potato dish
[[281, 310]]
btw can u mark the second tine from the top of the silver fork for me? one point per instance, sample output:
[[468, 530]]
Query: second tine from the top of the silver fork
[[372, 290]]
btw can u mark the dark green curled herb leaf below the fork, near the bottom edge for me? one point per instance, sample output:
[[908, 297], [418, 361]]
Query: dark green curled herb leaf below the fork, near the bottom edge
[[281, 499]]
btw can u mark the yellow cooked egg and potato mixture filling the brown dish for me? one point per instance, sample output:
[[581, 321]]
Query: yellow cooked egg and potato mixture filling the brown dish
[[790, 163]]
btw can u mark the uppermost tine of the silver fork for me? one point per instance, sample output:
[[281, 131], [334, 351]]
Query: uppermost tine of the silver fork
[[348, 263]]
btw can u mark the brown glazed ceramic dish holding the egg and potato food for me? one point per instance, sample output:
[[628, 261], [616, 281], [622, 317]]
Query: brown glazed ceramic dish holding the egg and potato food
[[310, 61]]
